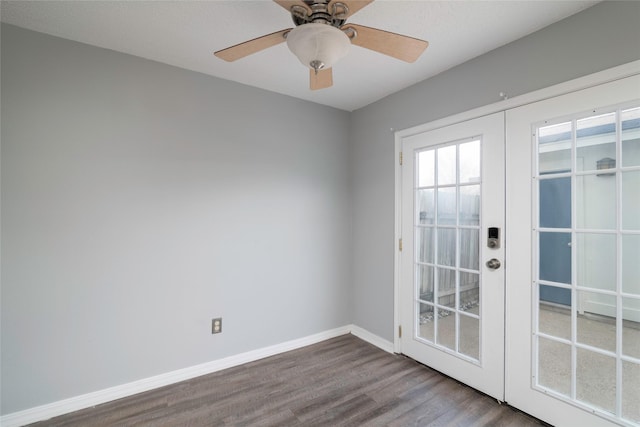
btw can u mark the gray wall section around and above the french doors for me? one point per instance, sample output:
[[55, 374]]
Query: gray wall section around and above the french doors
[[598, 38]]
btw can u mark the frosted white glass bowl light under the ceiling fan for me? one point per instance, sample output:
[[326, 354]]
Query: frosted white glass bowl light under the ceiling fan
[[318, 46]]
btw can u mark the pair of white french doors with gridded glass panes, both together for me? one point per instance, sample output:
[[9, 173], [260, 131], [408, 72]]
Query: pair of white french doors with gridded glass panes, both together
[[541, 309]]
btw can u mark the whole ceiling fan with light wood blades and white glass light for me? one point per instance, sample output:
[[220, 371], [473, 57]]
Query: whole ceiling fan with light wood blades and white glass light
[[322, 36]]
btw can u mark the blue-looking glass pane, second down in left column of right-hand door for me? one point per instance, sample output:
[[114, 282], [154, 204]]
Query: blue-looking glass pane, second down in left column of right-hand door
[[555, 203]]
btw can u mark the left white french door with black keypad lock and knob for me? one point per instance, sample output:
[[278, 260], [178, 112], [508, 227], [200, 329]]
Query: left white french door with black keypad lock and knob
[[452, 300]]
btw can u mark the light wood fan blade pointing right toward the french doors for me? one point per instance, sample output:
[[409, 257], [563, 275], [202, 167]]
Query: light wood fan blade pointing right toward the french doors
[[398, 46]]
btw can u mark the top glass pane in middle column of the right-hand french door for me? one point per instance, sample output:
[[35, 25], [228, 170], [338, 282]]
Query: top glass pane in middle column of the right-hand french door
[[596, 142]]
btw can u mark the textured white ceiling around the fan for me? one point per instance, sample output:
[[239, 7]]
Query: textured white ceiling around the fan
[[186, 33]]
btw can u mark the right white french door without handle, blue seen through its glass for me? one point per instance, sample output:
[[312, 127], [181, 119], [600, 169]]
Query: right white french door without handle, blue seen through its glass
[[573, 248]]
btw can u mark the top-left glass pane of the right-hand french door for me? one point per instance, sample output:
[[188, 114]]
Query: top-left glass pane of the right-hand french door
[[554, 148]]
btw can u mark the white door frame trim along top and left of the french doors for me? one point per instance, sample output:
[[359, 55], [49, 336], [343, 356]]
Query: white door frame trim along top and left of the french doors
[[612, 74]]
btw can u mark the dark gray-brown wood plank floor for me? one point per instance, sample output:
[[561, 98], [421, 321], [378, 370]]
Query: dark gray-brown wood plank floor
[[339, 382]]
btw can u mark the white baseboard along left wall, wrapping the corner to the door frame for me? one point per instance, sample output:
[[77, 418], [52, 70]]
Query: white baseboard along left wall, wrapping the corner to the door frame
[[45, 412]]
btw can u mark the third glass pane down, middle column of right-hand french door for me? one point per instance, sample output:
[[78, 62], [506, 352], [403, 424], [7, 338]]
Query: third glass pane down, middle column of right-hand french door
[[596, 260]]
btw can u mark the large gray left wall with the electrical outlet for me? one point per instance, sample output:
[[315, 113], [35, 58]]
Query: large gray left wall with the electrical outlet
[[140, 200]]
